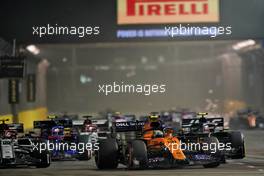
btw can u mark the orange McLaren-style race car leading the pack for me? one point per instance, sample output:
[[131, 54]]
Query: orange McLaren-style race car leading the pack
[[158, 146]]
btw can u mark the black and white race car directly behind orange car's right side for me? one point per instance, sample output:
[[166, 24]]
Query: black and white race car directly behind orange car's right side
[[230, 143]]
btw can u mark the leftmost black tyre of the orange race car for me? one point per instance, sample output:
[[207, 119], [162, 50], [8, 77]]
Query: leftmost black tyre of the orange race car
[[107, 155]]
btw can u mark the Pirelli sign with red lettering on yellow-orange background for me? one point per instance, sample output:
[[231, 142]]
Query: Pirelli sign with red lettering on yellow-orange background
[[167, 11]]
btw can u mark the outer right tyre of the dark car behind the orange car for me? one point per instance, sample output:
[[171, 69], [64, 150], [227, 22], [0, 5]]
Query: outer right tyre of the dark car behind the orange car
[[237, 142]]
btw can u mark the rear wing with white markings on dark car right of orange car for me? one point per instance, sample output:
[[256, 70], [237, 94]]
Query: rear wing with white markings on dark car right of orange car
[[217, 121]]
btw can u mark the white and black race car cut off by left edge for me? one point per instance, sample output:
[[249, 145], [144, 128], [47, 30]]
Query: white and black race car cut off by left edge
[[21, 151]]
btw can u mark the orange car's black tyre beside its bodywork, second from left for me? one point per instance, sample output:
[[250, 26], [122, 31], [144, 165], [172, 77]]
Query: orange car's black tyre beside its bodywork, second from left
[[137, 152]]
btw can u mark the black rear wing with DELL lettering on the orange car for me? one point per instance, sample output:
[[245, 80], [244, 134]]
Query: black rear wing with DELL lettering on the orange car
[[128, 126]]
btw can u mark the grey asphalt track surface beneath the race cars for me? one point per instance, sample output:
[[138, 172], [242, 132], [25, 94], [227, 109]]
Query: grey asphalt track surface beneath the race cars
[[252, 165]]
